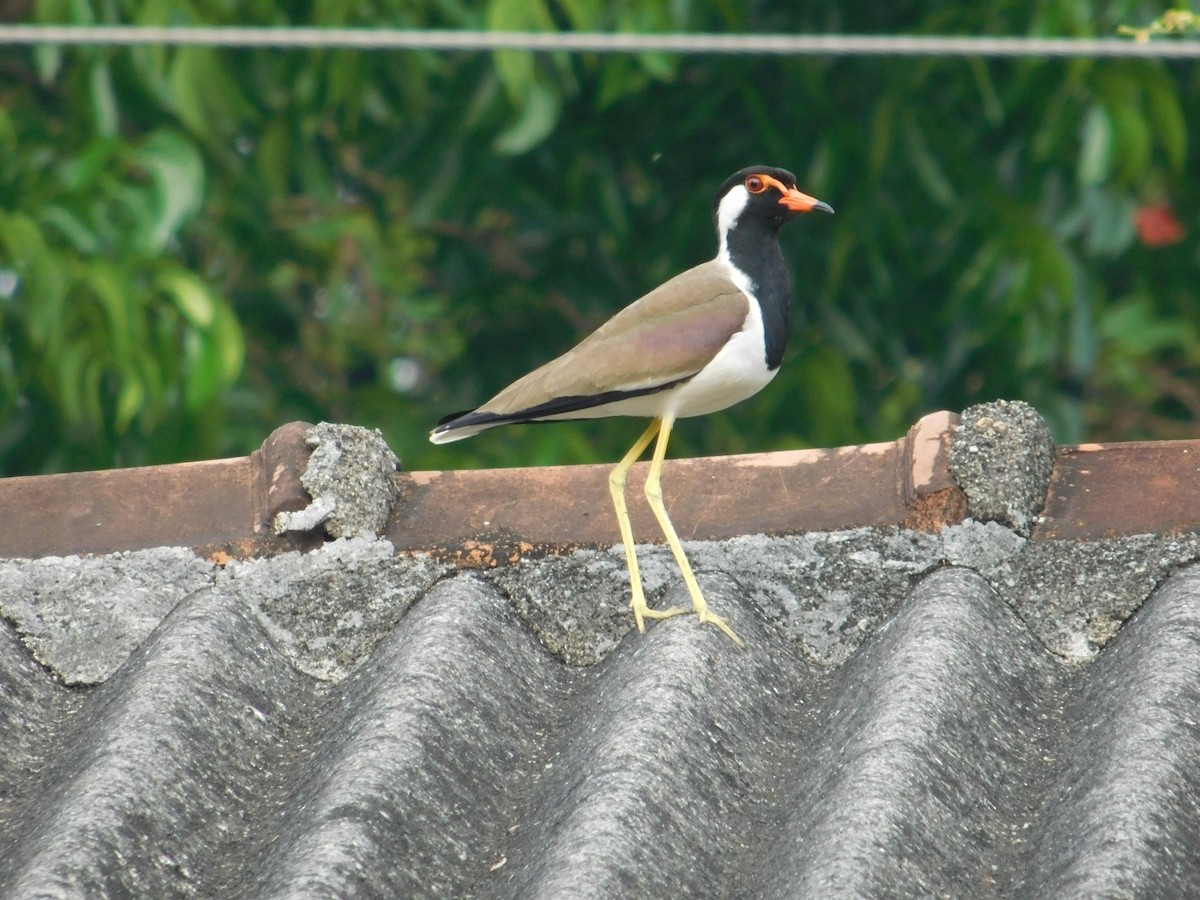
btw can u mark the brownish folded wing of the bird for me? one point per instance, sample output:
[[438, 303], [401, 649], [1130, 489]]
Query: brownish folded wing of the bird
[[668, 337]]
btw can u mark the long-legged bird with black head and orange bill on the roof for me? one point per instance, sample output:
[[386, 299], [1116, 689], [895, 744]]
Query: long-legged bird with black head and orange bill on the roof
[[710, 338]]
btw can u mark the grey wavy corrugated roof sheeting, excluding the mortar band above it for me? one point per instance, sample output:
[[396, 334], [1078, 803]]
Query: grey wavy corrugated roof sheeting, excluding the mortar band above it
[[952, 755]]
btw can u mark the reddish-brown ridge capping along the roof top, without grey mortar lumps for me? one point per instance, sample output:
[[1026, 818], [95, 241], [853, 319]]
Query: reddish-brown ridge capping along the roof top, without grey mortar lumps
[[224, 508]]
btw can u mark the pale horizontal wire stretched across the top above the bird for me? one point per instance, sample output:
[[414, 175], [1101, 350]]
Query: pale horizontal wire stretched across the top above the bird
[[593, 43]]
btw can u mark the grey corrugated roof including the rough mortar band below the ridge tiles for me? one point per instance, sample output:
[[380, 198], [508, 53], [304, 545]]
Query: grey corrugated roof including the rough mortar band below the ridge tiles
[[956, 713]]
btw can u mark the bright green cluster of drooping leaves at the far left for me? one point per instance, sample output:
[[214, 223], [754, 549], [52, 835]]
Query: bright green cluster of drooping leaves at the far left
[[110, 339]]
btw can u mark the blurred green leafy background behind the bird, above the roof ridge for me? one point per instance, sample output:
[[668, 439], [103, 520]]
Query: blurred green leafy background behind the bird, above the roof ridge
[[199, 245]]
